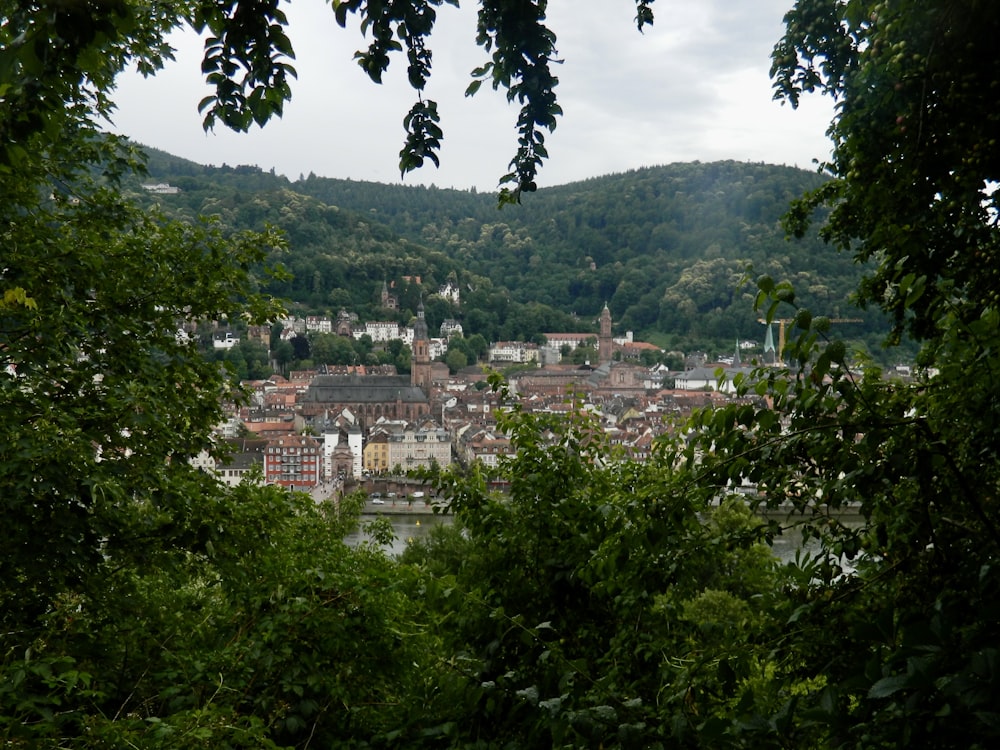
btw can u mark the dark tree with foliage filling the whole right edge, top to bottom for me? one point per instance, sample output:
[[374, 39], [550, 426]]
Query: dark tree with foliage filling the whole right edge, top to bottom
[[910, 632]]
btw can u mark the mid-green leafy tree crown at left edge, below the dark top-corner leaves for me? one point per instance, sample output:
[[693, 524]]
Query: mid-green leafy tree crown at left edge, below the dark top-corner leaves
[[99, 388]]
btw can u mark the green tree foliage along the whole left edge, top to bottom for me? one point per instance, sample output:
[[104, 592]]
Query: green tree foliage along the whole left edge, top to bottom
[[104, 401]]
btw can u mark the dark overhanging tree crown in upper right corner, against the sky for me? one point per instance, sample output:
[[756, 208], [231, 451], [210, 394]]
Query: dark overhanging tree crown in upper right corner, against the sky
[[915, 155]]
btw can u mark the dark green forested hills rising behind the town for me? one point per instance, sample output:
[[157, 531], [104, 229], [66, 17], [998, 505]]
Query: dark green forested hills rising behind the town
[[664, 247]]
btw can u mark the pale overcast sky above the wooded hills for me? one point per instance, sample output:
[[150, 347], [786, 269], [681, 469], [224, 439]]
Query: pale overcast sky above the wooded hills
[[693, 87]]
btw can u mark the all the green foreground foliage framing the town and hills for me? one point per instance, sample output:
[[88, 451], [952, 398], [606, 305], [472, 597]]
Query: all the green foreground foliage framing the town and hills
[[600, 602]]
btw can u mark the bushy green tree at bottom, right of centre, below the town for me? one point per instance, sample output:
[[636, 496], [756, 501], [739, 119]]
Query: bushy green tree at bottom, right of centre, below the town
[[597, 604]]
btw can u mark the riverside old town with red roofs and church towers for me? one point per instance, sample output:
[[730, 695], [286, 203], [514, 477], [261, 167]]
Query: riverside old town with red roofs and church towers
[[326, 429]]
